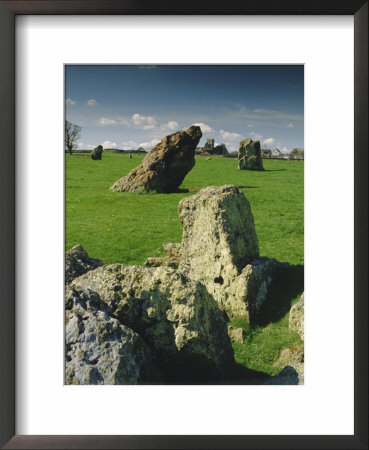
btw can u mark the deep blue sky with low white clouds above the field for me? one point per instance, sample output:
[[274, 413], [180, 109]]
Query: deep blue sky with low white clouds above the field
[[123, 106]]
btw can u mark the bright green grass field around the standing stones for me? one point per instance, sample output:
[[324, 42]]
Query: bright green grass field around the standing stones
[[128, 228]]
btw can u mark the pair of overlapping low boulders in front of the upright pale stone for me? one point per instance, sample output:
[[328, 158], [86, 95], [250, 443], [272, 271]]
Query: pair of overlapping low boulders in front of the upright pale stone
[[159, 310]]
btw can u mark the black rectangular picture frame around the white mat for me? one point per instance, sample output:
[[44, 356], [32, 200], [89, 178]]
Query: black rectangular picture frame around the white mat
[[8, 12]]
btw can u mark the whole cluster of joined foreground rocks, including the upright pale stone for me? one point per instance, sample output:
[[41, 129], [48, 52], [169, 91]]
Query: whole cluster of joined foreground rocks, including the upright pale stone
[[165, 323]]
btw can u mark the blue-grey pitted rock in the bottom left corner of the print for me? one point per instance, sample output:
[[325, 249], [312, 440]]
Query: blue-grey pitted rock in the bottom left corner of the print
[[100, 350]]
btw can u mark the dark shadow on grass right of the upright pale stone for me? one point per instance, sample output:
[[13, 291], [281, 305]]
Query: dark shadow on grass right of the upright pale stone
[[286, 285]]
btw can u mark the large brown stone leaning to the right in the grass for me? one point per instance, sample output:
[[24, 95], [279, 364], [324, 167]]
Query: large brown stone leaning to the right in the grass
[[165, 166]]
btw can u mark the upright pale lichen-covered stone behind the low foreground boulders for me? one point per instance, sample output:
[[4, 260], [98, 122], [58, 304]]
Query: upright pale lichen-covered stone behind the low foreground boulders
[[220, 249]]
